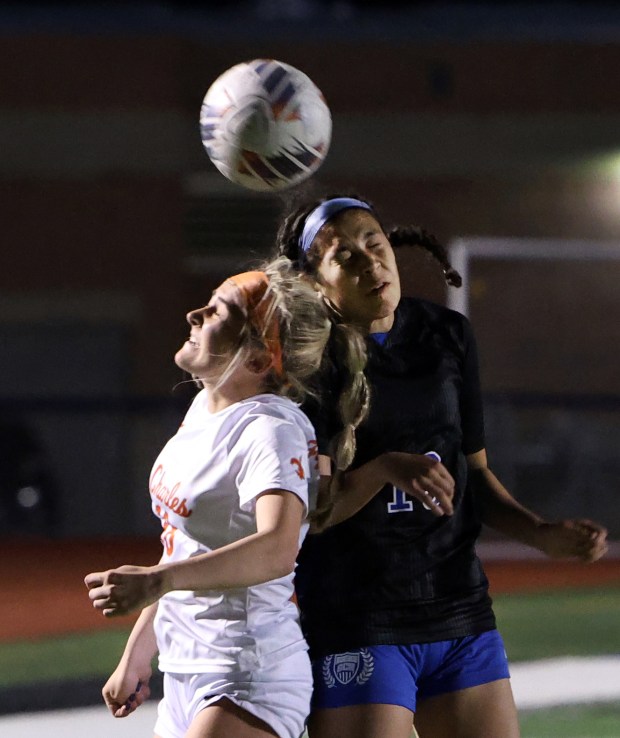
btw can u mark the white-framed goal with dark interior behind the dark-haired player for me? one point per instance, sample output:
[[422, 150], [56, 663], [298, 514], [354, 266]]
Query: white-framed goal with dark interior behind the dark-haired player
[[546, 314]]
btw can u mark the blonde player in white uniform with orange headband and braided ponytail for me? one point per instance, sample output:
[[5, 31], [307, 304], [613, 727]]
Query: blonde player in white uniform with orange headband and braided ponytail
[[233, 489]]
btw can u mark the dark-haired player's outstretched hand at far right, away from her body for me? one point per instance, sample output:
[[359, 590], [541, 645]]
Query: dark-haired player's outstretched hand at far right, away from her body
[[579, 538]]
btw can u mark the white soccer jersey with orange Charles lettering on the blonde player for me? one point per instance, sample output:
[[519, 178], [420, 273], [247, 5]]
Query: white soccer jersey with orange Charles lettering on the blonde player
[[203, 488]]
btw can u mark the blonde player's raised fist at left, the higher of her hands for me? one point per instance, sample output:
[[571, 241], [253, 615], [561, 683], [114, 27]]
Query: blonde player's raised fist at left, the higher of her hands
[[125, 589]]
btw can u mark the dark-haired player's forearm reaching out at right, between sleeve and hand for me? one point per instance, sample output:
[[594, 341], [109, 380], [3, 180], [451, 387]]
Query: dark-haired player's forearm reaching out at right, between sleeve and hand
[[500, 511]]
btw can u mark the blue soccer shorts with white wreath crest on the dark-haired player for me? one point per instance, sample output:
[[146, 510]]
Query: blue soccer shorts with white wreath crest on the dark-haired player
[[400, 675]]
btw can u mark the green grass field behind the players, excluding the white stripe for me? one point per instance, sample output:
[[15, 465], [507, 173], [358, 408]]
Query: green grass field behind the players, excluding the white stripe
[[577, 622]]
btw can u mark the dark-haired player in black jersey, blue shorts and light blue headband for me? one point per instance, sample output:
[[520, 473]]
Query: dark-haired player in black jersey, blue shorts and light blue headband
[[394, 599]]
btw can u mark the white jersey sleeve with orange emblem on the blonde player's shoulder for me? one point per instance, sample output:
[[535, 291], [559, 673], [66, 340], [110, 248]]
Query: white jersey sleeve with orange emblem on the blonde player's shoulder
[[274, 456]]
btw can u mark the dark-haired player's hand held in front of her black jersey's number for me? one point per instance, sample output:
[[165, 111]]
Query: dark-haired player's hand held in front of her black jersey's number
[[422, 477]]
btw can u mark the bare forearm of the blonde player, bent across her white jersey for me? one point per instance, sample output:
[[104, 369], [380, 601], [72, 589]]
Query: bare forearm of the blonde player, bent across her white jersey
[[252, 560]]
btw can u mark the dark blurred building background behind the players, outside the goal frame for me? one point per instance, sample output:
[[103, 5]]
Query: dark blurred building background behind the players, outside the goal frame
[[476, 121]]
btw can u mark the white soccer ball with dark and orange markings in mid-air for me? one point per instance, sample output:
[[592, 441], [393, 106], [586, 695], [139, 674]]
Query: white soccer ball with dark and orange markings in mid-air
[[265, 125]]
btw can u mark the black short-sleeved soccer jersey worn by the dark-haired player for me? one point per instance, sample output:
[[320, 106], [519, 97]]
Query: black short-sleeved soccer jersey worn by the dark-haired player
[[394, 573]]
